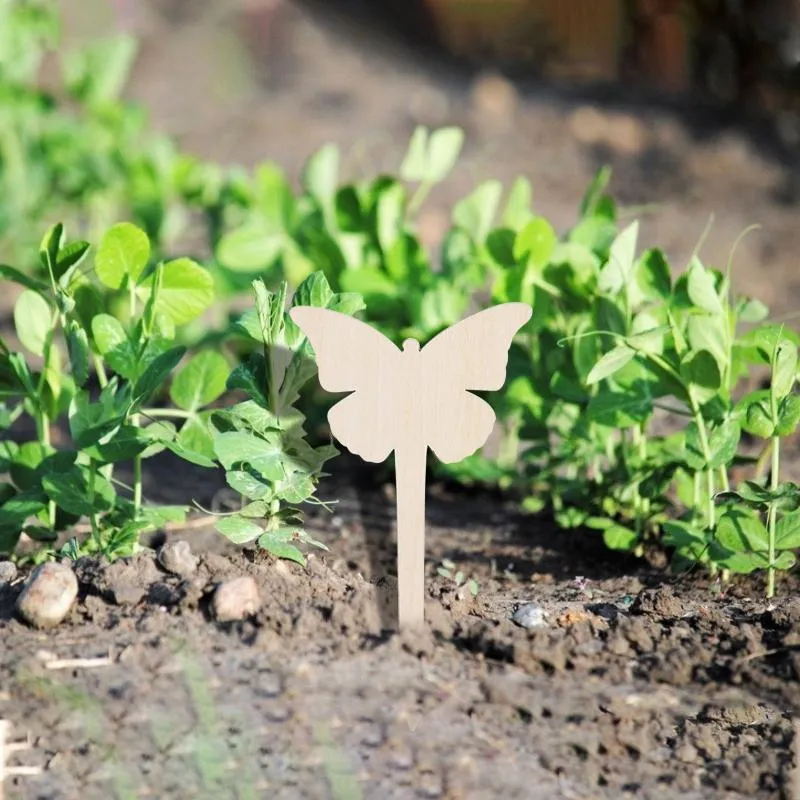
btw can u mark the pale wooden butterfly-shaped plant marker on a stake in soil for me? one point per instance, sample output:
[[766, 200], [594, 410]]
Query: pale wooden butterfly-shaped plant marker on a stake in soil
[[408, 400]]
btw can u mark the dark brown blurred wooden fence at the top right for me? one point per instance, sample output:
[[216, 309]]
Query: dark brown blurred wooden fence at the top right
[[669, 45]]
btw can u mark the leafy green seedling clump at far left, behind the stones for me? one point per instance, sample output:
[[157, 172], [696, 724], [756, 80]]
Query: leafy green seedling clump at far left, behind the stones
[[98, 377]]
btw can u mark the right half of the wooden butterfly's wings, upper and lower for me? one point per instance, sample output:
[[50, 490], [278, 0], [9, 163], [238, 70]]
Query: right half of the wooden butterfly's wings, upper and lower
[[473, 354]]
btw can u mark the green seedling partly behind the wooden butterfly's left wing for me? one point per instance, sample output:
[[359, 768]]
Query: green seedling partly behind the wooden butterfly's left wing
[[261, 442]]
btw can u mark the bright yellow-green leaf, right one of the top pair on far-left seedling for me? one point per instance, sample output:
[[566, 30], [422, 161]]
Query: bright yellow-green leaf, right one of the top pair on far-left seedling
[[186, 291]]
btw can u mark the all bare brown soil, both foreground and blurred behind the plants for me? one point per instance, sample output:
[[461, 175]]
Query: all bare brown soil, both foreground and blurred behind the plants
[[641, 683]]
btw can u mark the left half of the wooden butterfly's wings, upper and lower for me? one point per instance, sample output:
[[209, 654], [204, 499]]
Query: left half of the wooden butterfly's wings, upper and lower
[[353, 357]]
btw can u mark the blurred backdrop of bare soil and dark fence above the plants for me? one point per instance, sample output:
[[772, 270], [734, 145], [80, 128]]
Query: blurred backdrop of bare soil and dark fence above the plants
[[694, 103]]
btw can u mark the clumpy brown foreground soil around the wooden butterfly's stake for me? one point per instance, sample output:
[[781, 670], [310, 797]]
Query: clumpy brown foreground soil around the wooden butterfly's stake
[[641, 684]]
